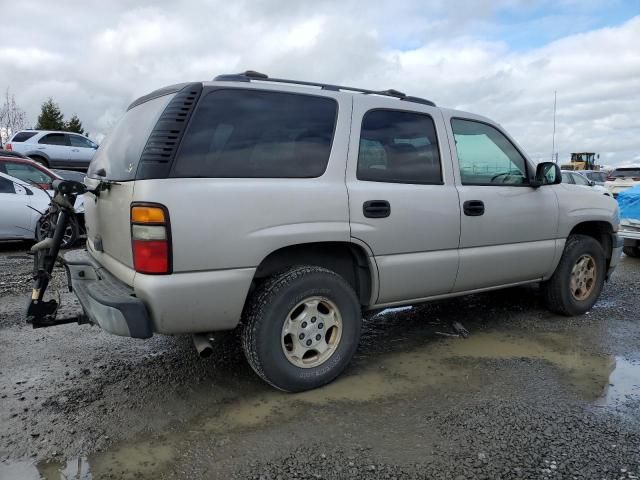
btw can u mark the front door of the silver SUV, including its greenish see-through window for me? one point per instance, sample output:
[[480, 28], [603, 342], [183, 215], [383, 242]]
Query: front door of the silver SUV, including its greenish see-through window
[[508, 228]]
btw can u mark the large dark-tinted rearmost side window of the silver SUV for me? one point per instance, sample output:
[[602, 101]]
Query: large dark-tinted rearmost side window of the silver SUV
[[258, 134]]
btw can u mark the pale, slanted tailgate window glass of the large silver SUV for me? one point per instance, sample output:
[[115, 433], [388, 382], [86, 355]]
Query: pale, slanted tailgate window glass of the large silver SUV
[[119, 154]]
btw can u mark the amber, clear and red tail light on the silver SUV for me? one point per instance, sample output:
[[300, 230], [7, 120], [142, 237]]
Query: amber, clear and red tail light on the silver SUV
[[150, 238]]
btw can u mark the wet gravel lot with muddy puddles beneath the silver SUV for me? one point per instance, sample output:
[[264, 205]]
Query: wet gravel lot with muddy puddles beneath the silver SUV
[[527, 395]]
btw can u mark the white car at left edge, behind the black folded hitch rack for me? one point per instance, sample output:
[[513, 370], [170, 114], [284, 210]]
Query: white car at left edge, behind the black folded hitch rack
[[21, 206]]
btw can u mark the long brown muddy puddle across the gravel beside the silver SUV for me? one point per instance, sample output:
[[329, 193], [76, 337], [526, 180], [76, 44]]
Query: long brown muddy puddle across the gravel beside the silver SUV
[[598, 378]]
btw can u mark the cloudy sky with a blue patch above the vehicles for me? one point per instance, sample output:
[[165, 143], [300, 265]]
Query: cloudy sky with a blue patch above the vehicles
[[499, 58]]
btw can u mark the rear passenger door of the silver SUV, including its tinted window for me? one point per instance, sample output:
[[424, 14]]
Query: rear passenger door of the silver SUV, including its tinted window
[[402, 200]]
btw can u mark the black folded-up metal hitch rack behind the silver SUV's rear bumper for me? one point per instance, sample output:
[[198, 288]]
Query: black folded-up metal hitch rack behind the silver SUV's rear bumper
[[41, 313]]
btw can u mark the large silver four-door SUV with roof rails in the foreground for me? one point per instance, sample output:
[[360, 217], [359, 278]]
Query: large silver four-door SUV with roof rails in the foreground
[[287, 208]]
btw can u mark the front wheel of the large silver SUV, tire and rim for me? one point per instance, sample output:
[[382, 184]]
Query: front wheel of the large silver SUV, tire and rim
[[558, 292]]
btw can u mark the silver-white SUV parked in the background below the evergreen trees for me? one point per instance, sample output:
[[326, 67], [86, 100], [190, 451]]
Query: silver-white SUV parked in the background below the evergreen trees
[[54, 149]]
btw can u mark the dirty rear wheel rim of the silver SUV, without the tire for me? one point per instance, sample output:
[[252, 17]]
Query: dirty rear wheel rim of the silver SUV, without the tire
[[311, 332]]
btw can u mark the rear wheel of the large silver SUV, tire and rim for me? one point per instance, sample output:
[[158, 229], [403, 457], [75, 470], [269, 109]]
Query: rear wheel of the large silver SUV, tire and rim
[[275, 305]]
